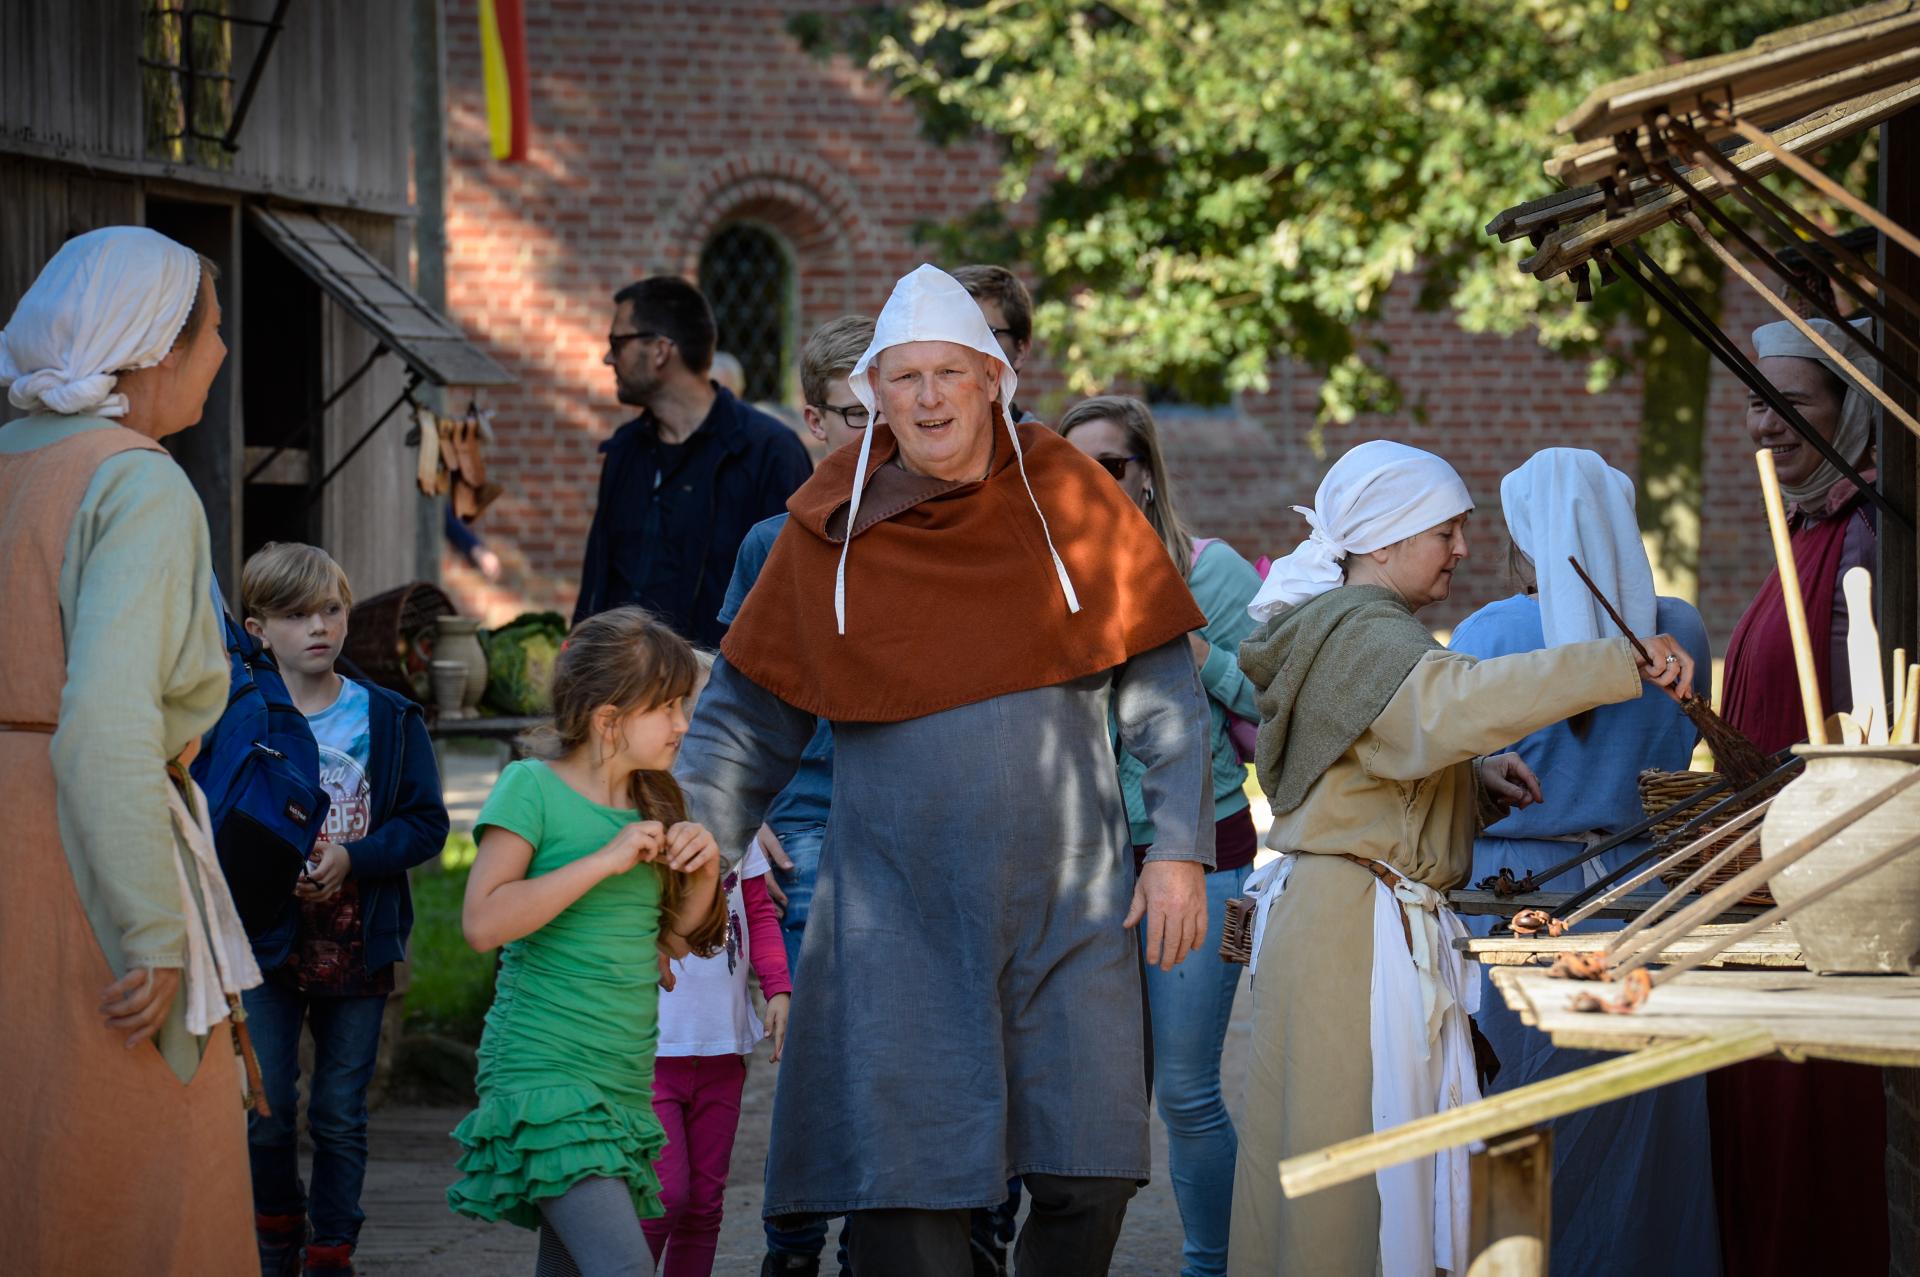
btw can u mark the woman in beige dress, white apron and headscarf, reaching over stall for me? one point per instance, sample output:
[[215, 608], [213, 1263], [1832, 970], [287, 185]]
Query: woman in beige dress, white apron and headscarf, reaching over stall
[[1374, 750]]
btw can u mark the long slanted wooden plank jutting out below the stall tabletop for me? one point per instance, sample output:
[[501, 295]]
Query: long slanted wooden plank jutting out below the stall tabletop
[[1522, 1107]]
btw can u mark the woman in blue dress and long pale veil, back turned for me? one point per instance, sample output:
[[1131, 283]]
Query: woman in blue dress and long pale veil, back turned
[[1633, 1190]]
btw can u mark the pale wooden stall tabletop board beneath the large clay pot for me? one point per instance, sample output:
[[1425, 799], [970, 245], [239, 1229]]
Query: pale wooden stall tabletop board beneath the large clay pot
[[1856, 1019]]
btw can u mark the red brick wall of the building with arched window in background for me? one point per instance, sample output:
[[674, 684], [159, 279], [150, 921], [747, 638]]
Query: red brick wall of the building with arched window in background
[[650, 133]]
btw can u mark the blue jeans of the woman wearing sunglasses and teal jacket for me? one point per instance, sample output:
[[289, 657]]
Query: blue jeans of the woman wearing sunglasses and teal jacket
[[1191, 1007]]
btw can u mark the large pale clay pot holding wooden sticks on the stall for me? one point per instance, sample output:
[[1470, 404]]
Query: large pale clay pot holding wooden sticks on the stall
[[1871, 927]]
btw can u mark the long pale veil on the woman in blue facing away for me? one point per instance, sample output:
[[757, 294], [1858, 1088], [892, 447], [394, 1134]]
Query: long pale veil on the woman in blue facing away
[[1570, 502]]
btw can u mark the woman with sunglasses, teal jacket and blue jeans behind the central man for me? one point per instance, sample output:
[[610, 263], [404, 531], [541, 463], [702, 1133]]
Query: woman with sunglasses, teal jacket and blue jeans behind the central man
[[1191, 1003]]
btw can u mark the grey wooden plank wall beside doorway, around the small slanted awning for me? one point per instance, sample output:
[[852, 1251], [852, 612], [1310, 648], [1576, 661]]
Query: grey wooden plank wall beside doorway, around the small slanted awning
[[370, 510]]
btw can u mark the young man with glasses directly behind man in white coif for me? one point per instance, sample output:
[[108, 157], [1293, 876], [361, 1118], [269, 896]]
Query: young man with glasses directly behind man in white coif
[[798, 821]]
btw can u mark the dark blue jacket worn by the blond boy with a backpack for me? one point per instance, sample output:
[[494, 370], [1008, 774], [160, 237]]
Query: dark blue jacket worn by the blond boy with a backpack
[[410, 827]]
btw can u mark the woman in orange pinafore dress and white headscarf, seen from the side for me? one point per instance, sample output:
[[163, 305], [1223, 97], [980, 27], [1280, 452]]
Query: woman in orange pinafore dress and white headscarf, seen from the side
[[120, 1094]]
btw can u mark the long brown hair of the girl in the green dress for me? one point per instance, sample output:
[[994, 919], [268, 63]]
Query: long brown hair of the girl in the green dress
[[629, 660]]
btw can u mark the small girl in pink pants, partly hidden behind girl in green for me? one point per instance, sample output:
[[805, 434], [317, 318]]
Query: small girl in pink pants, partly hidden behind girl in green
[[708, 1032]]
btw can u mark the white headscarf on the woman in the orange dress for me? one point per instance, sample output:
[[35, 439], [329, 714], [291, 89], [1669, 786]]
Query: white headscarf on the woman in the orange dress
[[110, 301]]
